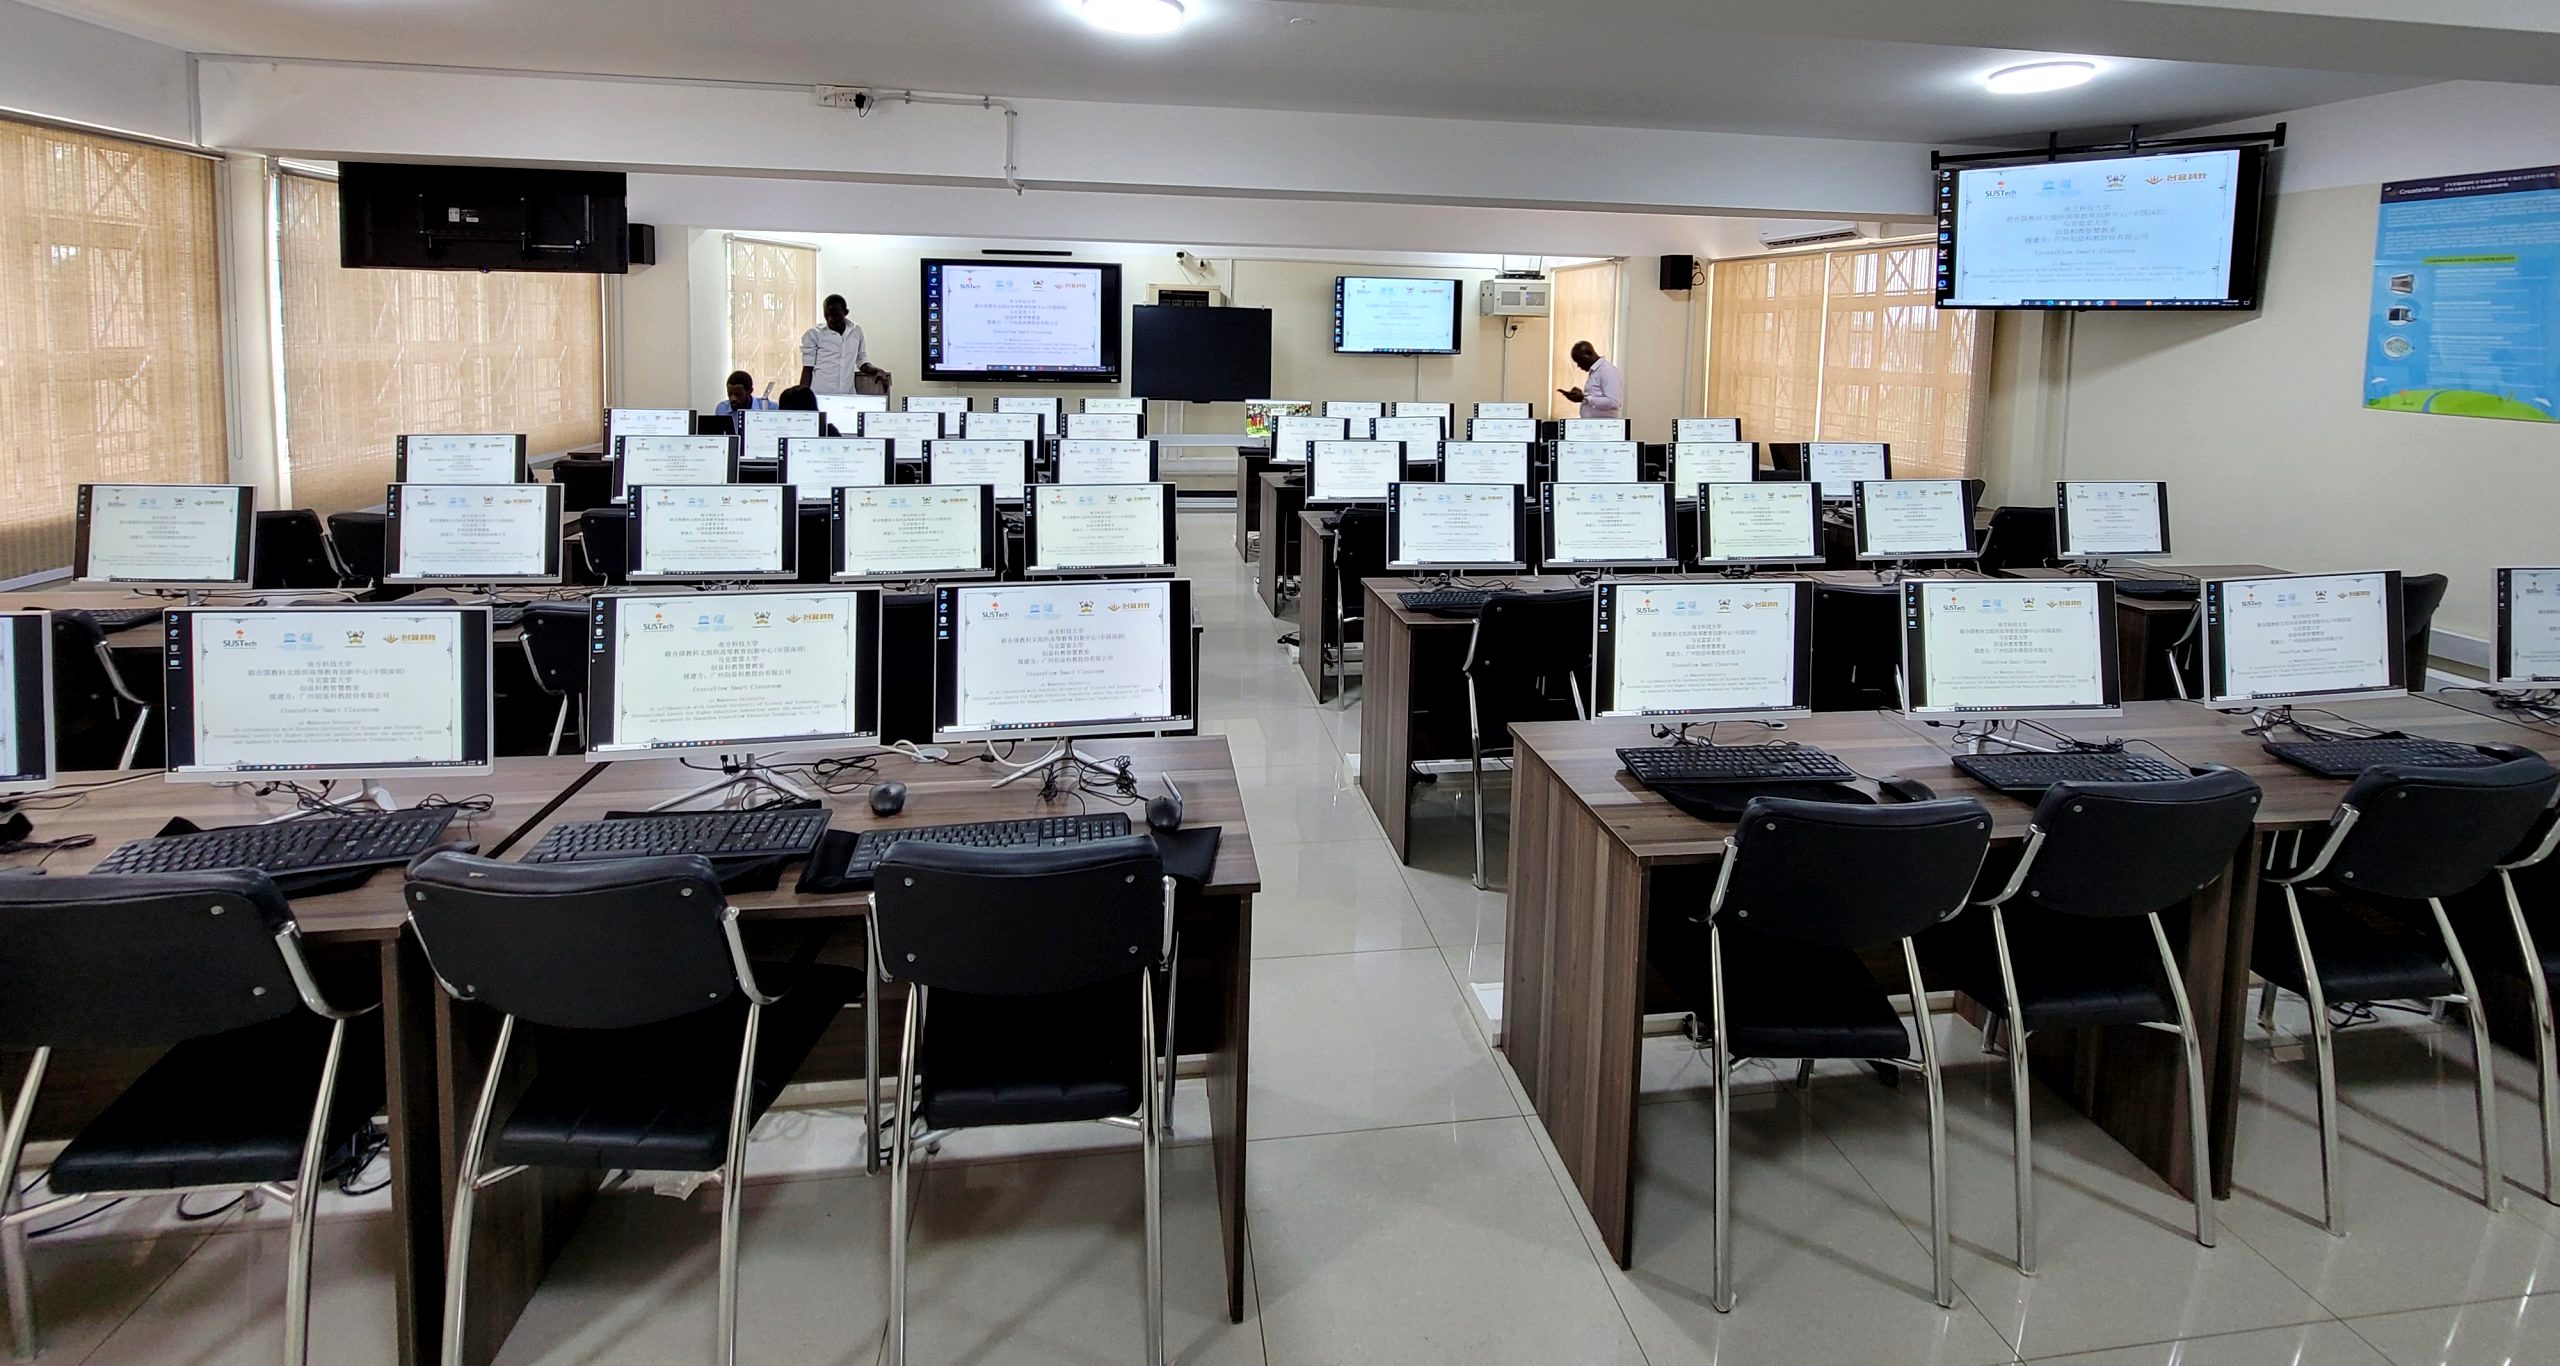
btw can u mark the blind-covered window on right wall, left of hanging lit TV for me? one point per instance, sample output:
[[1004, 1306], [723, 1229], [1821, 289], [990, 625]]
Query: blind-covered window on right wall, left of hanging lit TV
[[1850, 347]]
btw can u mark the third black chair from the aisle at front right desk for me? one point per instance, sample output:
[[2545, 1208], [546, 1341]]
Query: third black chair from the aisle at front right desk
[[2400, 835]]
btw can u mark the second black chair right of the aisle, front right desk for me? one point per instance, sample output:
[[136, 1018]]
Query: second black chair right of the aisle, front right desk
[[2060, 948]]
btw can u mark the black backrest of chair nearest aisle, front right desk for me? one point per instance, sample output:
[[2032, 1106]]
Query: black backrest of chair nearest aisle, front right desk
[[1852, 876]]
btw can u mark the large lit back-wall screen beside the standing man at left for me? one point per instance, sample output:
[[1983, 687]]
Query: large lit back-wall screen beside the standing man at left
[[1020, 321]]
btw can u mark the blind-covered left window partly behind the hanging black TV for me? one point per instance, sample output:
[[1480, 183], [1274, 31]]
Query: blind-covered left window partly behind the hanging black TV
[[378, 354]]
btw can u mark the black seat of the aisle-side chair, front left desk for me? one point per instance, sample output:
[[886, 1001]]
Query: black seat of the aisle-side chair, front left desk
[[992, 1060]]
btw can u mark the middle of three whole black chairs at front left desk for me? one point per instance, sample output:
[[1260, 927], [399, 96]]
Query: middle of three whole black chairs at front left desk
[[659, 1045]]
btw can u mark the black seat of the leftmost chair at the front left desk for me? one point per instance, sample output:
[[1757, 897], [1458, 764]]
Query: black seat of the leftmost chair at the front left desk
[[229, 1109]]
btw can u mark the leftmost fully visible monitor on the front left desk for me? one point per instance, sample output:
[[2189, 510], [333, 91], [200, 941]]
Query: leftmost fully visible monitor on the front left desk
[[326, 692]]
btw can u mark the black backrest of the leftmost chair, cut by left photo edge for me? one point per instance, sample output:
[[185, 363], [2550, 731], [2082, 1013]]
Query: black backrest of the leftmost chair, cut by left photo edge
[[137, 961]]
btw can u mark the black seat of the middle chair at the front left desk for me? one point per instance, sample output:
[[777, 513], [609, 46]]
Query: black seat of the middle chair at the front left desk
[[657, 1096]]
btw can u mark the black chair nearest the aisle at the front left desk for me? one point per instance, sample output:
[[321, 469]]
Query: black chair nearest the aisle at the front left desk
[[995, 963]]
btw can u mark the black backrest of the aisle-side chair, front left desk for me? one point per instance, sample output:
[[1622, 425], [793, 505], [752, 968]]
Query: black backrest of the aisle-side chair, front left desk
[[1020, 922]]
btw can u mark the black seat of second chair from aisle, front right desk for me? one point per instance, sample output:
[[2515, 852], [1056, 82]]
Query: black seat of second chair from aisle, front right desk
[[2072, 971]]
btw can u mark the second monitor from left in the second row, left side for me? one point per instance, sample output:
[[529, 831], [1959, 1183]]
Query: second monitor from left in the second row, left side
[[472, 533]]
